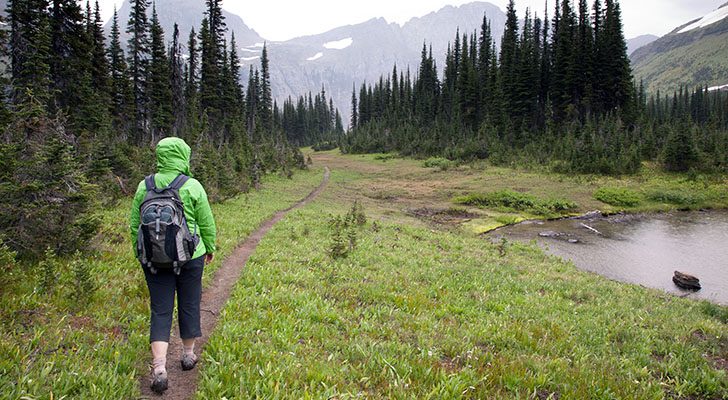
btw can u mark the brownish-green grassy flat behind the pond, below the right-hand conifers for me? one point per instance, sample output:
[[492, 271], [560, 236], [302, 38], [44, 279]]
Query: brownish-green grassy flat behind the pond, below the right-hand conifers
[[401, 188]]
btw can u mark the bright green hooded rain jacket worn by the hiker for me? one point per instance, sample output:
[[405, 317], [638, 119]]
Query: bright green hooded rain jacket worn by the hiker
[[173, 158]]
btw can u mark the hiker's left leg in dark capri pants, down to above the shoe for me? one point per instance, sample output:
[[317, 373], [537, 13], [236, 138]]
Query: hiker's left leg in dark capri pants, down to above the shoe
[[161, 304]]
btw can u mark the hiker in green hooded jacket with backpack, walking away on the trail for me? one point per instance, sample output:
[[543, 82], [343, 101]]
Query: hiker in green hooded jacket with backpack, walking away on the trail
[[173, 241]]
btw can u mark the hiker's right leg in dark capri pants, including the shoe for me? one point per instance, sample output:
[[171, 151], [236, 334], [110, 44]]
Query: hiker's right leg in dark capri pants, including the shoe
[[189, 295]]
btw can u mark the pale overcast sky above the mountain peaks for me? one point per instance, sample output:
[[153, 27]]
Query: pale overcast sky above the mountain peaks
[[285, 19]]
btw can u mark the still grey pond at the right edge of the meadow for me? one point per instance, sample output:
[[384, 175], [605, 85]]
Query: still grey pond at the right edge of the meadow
[[645, 249]]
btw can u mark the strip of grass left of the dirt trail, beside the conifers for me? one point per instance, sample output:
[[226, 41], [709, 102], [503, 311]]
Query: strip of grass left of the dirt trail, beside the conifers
[[61, 343]]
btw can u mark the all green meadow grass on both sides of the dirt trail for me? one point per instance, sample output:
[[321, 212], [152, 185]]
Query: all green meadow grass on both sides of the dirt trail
[[414, 311]]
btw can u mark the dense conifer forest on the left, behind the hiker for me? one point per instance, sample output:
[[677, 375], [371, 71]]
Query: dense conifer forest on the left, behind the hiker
[[82, 112]]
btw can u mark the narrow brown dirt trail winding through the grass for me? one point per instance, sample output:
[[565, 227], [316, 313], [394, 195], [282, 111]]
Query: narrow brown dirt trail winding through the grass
[[183, 384]]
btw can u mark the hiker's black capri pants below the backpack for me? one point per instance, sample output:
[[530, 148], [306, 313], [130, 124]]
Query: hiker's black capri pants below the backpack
[[162, 287]]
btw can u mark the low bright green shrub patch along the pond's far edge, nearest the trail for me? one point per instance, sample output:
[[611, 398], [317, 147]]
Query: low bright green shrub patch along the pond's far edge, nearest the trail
[[511, 200]]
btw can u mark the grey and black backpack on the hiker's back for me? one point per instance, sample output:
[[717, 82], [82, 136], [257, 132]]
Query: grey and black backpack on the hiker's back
[[164, 240]]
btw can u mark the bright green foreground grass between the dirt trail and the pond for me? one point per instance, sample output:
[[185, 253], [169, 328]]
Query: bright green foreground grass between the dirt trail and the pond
[[414, 312]]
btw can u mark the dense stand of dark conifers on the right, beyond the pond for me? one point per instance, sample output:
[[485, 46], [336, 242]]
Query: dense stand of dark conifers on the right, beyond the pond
[[558, 93]]
